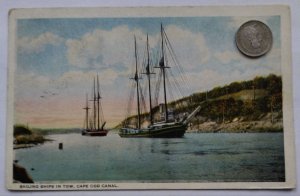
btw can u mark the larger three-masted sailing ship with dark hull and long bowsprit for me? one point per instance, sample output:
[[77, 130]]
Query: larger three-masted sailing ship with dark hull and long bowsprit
[[168, 128]]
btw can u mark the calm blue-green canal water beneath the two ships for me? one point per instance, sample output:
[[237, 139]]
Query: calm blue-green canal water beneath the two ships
[[207, 157]]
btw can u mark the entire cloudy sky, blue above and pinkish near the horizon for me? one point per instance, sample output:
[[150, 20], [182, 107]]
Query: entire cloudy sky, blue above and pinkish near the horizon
[[57, 60]]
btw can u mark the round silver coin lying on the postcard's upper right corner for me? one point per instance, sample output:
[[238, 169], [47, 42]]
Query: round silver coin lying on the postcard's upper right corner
[[254, 38]]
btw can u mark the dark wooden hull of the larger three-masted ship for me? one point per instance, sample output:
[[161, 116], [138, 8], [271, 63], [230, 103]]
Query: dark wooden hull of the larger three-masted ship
[[173, 131]]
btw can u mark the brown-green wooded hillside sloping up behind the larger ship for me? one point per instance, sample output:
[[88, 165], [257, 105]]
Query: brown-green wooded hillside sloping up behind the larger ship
[[250, 100]]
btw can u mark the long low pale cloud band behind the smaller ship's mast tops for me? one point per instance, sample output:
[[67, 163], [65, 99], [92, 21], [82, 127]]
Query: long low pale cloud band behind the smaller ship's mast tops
[[70, 83]]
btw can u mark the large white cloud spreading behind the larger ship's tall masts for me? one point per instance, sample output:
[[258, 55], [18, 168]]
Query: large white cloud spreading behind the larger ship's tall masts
[[102, 48]]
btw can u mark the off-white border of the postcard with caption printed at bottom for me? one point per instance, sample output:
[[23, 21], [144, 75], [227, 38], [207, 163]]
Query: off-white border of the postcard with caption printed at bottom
[[250, 11]]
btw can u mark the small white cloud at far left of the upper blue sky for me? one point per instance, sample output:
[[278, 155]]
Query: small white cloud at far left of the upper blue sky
[[38, 44]]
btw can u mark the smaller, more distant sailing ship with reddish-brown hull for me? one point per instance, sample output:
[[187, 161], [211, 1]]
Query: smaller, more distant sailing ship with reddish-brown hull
[[92, 125]]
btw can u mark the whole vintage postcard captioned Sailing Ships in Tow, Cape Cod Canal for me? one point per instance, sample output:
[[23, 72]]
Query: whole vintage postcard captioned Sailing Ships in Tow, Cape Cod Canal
[[150, 98]]
